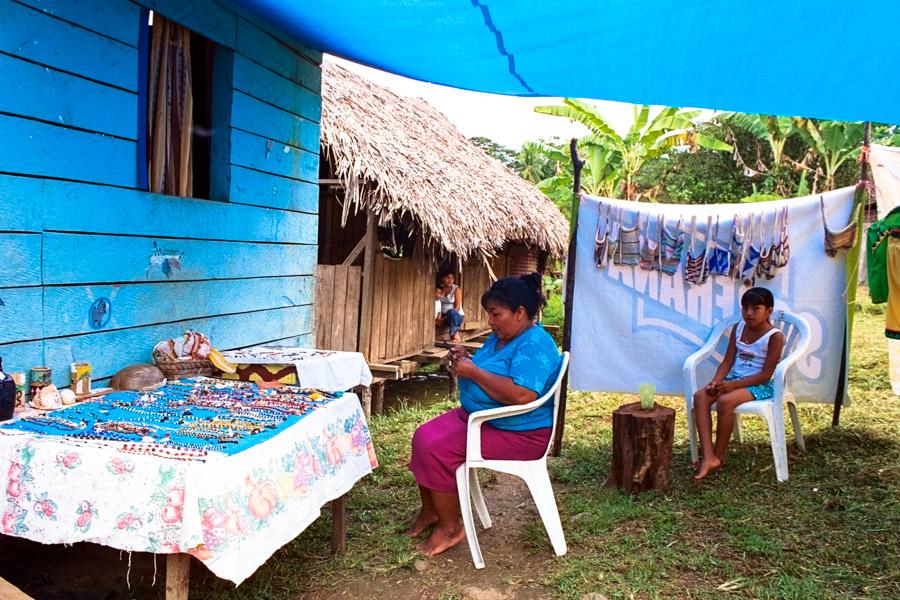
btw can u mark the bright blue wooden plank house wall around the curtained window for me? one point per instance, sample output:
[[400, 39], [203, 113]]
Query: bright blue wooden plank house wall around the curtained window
[[75, 227]]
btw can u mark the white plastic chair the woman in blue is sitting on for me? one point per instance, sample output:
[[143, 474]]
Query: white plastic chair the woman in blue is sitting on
[[534, 472]]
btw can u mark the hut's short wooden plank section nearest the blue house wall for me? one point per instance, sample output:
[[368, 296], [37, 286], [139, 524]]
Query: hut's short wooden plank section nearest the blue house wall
[[337, 307]]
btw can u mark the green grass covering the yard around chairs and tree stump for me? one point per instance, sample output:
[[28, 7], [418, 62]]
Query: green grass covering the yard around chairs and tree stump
[[832, 531]]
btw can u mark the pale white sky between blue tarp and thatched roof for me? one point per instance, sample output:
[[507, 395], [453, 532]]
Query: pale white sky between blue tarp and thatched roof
[[507, 120]]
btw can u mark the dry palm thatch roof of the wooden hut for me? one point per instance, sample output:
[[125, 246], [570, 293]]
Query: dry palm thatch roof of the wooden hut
[[400, 157]]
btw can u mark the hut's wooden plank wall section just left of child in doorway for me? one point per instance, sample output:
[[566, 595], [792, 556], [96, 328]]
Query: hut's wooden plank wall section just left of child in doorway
[[402, 319]]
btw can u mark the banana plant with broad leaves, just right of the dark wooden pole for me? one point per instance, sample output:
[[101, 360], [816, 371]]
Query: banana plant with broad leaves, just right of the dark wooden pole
[[612, 161]]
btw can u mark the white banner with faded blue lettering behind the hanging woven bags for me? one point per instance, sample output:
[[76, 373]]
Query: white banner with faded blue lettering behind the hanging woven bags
[[630, 325]]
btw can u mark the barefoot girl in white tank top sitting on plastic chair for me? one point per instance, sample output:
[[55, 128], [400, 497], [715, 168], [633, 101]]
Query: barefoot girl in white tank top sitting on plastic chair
[[745, 374]]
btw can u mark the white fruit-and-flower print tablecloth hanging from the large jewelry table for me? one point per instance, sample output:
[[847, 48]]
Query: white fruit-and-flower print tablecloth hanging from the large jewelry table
[[231, 512]]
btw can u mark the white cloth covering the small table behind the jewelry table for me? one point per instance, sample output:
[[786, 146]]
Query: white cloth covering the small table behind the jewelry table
[[329, 370]]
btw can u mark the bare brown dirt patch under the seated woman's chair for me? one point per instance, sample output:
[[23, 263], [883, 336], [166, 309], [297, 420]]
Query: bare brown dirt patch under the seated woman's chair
[[513, 567]]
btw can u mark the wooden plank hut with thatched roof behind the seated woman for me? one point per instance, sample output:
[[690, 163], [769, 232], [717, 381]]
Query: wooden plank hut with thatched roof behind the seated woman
[[394, 167]]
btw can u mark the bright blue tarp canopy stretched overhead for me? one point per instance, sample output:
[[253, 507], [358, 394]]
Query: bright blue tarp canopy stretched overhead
[[828, 59]]
